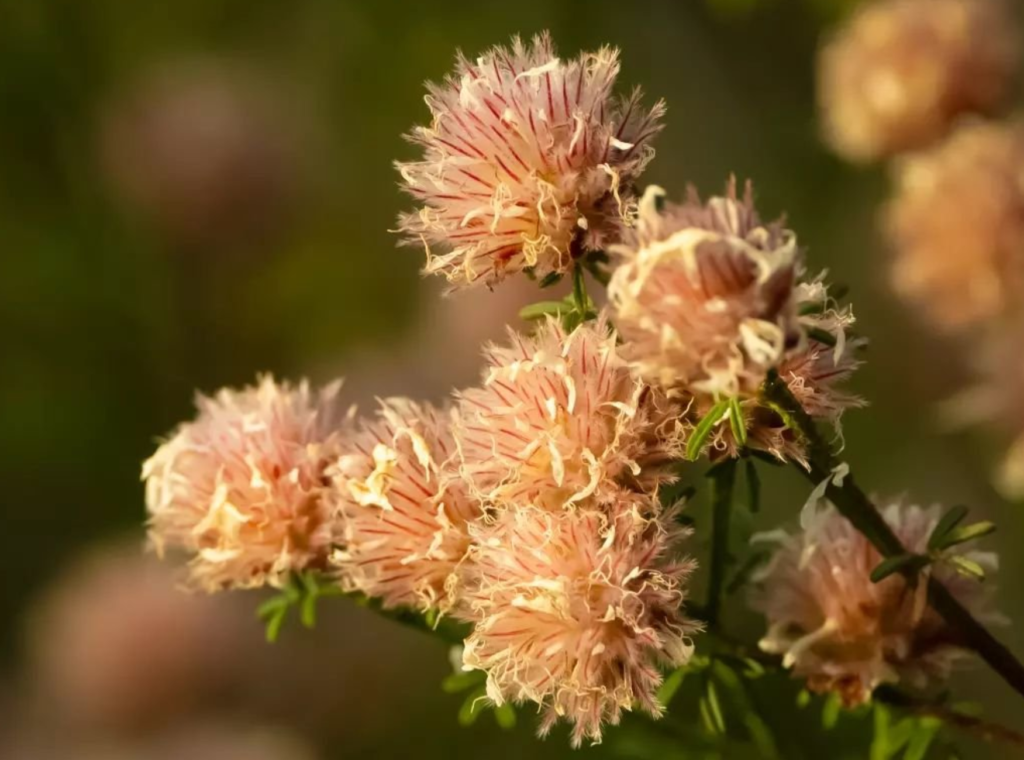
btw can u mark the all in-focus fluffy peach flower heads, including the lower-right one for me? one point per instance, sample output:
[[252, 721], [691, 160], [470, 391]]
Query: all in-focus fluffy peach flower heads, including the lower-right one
[[533, 510]]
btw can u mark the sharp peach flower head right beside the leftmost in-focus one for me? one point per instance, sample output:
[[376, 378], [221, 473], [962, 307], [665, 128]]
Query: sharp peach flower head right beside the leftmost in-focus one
[[405, 516]]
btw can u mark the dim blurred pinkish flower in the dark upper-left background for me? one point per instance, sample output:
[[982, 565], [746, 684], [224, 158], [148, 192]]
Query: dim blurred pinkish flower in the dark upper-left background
[[208, 152]]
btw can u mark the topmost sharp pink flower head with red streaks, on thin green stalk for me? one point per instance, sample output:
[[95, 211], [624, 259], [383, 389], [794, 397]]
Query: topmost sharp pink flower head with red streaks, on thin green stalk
[[529, 162]]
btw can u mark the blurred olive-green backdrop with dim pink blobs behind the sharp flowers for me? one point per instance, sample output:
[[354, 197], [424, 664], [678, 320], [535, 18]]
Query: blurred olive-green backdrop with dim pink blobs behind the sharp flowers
[[192, 193]]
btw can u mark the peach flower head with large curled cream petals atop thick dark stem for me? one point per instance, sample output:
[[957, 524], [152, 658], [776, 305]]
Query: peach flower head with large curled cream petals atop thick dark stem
[[709, 301]]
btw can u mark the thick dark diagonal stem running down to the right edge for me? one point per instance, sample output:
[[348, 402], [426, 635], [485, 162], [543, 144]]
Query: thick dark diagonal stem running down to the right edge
[[854, 504]]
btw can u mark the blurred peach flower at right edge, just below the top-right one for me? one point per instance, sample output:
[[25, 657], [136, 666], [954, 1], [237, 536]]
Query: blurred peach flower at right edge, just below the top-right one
[[956, 226]]
